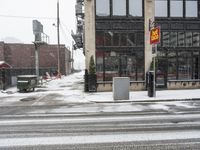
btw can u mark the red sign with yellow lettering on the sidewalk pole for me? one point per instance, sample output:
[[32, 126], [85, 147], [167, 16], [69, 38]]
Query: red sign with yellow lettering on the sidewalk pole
[[155, 35]]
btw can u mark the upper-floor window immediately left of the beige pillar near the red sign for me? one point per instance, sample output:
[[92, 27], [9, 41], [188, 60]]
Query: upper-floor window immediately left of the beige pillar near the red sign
[[135, 7]]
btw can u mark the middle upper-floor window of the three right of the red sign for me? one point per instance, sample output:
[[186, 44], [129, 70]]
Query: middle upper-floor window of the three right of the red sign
[[176, 8]]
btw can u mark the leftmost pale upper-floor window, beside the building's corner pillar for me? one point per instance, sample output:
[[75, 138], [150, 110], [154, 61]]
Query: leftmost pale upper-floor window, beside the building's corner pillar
[[102, 7]]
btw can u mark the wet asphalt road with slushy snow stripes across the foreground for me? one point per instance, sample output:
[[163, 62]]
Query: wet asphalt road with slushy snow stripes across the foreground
[[103, 126]]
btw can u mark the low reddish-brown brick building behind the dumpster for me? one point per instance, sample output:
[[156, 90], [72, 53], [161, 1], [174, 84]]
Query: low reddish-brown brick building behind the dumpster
[[22, 59]]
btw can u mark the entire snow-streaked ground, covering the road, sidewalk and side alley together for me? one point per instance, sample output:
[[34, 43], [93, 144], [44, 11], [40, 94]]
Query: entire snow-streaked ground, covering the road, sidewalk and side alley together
[[59, 115]]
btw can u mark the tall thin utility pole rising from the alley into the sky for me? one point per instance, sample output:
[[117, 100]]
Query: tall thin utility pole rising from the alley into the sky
[[58, 37]]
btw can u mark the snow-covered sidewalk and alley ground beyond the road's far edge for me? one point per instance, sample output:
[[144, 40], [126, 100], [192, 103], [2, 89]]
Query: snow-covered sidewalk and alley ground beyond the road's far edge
[[69, 89]]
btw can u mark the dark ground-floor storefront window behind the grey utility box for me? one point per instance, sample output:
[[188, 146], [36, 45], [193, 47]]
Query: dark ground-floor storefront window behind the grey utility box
[[117, 64]]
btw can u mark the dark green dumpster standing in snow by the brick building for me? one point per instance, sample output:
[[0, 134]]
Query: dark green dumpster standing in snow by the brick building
[[26, 83]]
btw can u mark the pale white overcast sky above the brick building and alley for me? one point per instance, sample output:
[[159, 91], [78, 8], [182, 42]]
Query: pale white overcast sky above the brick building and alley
[[16, 21]]
